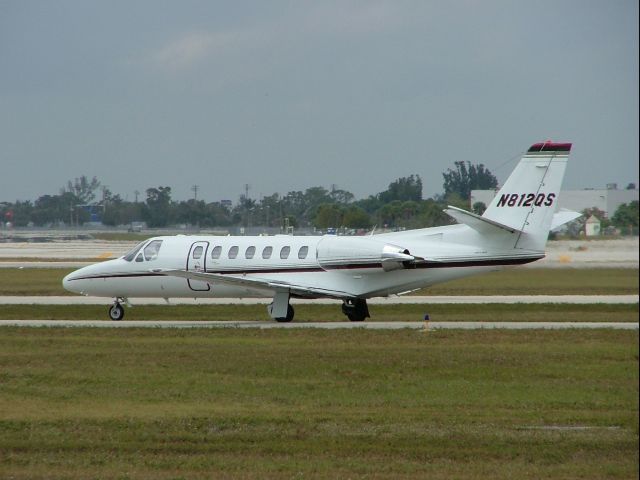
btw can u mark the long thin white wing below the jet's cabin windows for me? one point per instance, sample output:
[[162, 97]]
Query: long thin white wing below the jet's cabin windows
[[253, 282]]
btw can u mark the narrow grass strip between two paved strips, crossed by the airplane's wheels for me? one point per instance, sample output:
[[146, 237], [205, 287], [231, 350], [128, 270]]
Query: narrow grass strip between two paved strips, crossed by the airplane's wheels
[[329, 313]]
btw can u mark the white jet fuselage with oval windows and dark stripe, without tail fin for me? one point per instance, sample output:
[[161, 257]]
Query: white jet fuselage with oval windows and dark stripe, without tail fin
[[358, 267]]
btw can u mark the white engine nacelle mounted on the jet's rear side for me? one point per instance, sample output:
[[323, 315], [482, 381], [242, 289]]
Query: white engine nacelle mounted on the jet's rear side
[[361, 252]]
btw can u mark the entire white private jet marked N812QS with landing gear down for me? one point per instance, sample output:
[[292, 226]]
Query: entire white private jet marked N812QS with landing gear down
[[512, 231]]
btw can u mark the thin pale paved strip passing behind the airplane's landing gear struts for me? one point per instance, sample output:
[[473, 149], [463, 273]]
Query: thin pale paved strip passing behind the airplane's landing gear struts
[[432, 300]]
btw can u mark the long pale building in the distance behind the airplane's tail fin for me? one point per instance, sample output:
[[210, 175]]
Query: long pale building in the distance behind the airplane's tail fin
[[608, 200]]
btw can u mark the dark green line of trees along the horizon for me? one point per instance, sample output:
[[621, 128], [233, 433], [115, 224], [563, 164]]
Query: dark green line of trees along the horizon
[[399, 206]]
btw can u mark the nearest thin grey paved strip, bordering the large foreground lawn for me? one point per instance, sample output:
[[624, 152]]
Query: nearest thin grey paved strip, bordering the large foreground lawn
[[263, 325]]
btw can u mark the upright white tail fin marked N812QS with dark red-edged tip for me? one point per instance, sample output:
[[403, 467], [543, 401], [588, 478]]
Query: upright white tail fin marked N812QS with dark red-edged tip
[[529, 197]]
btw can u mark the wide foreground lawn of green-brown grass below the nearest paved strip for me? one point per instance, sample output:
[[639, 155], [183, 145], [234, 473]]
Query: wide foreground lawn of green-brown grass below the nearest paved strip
[[86, 403]]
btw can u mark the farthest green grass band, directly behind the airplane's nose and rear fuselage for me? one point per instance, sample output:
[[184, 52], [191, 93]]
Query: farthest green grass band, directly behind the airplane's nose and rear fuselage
[[519, 281]]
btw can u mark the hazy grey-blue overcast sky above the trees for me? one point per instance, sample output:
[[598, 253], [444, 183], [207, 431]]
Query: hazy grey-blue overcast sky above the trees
[[287, 95]]
